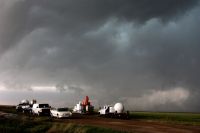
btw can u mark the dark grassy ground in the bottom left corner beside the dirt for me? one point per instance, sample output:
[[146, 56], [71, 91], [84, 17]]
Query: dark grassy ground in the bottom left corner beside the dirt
[[24, 124]]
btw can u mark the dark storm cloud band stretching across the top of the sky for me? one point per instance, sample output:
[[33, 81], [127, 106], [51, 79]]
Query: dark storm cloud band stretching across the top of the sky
[[21, 16]]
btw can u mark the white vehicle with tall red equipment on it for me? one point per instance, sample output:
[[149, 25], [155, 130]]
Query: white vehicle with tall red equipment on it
[[84, 107]]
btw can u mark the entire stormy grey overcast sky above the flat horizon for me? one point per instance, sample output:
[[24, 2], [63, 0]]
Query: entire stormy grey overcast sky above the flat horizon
[[144, 53]]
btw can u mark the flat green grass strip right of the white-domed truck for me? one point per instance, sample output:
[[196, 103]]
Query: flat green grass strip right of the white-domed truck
[[178, 118]]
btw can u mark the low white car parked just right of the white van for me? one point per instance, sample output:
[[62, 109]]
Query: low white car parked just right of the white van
[[60, 112]]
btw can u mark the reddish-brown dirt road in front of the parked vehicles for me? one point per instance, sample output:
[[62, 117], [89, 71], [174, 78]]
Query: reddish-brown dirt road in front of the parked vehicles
[[139, 126]]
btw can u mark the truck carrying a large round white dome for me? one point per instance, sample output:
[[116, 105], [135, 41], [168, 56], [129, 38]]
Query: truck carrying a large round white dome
[[116, 111]]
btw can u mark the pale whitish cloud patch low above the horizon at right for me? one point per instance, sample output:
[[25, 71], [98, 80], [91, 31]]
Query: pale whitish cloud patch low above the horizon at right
[[159, 98]]
